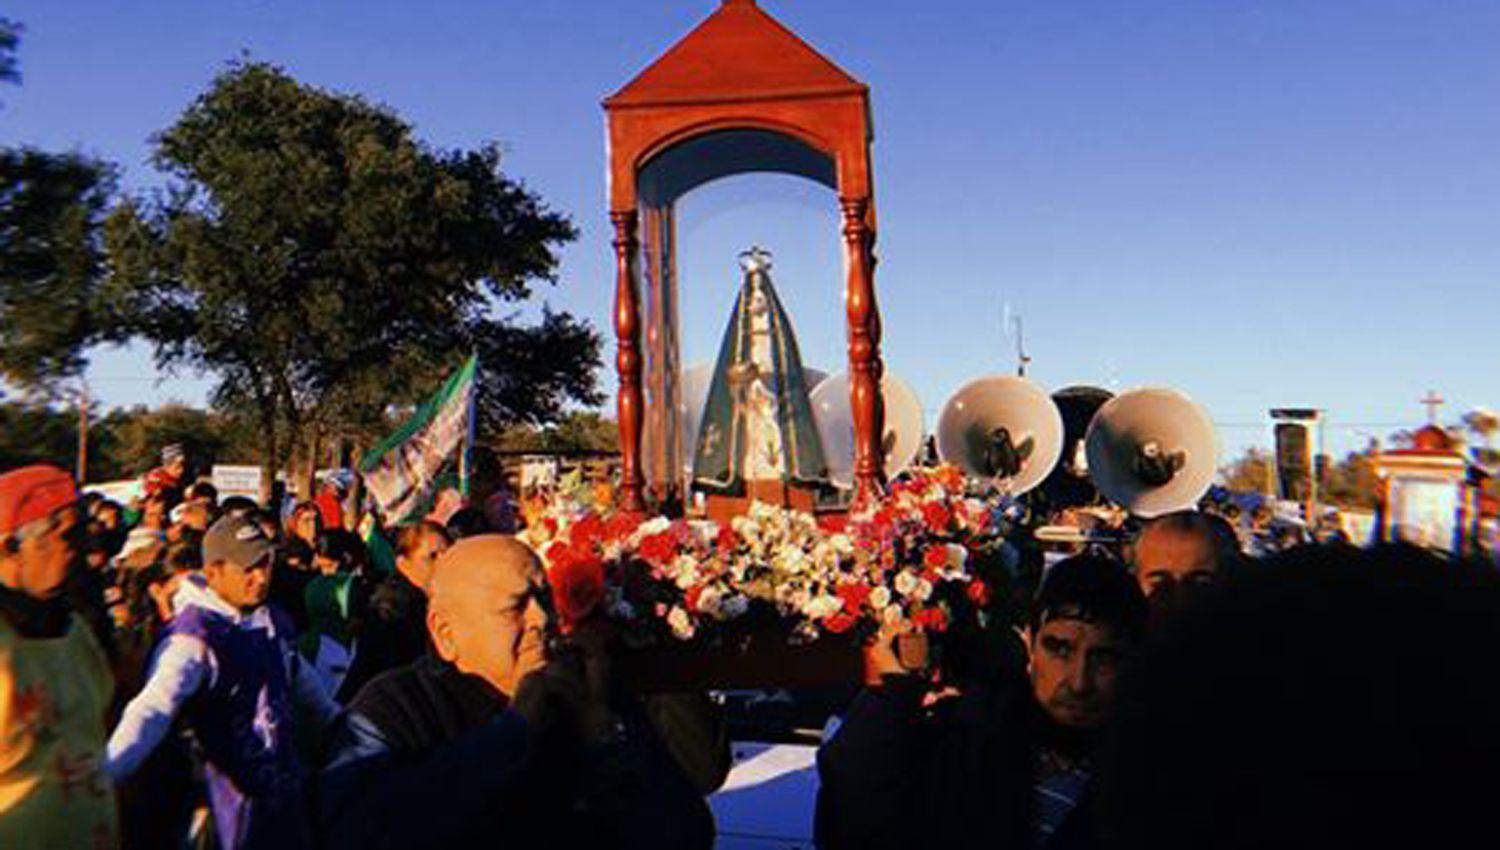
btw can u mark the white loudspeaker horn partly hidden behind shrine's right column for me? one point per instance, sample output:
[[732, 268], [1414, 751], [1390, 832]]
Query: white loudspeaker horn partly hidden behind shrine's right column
[[904, 426]]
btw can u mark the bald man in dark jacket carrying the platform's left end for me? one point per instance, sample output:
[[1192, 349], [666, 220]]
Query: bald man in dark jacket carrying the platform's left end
[[496, 740]]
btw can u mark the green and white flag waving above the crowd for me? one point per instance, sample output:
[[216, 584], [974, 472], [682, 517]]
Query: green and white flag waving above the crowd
[[403, 471]]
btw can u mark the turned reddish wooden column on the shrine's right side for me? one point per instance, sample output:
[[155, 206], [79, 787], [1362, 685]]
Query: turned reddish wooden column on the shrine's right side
[[865, 350]]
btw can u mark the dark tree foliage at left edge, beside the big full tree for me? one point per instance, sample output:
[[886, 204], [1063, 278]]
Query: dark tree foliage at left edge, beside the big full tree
[[52, 265]]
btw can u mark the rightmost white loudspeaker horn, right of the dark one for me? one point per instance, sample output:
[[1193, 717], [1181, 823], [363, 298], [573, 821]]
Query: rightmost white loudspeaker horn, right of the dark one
[[1153, 452]]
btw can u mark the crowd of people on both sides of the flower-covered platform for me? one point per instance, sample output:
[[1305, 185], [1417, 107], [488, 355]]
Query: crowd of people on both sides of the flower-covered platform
[[203, 672]]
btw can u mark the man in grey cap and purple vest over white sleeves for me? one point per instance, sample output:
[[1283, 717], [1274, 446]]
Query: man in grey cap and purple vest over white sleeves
[[230, 669]]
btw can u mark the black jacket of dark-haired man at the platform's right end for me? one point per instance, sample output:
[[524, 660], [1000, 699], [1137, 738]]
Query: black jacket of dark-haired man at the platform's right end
[[959, 776]]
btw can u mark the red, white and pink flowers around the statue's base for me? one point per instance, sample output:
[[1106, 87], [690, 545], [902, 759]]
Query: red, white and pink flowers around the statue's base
[[905, 558]]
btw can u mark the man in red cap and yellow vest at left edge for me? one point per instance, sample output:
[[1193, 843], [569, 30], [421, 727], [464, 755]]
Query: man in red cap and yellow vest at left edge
[[55, 680]]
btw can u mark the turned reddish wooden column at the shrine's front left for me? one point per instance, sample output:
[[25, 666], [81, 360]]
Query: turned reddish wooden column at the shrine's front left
[[628, 359]]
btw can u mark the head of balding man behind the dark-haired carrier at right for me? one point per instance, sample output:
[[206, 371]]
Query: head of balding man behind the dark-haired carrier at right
[[1181, 554]]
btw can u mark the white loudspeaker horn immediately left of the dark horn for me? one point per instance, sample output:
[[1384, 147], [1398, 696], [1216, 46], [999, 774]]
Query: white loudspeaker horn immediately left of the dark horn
[[1001, 428]]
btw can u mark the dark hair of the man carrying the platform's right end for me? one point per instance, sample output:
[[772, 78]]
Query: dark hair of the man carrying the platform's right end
[[1096, 590]]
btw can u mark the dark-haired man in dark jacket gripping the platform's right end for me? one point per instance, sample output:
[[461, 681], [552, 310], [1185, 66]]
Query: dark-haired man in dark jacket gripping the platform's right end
[[1010, 762]]
